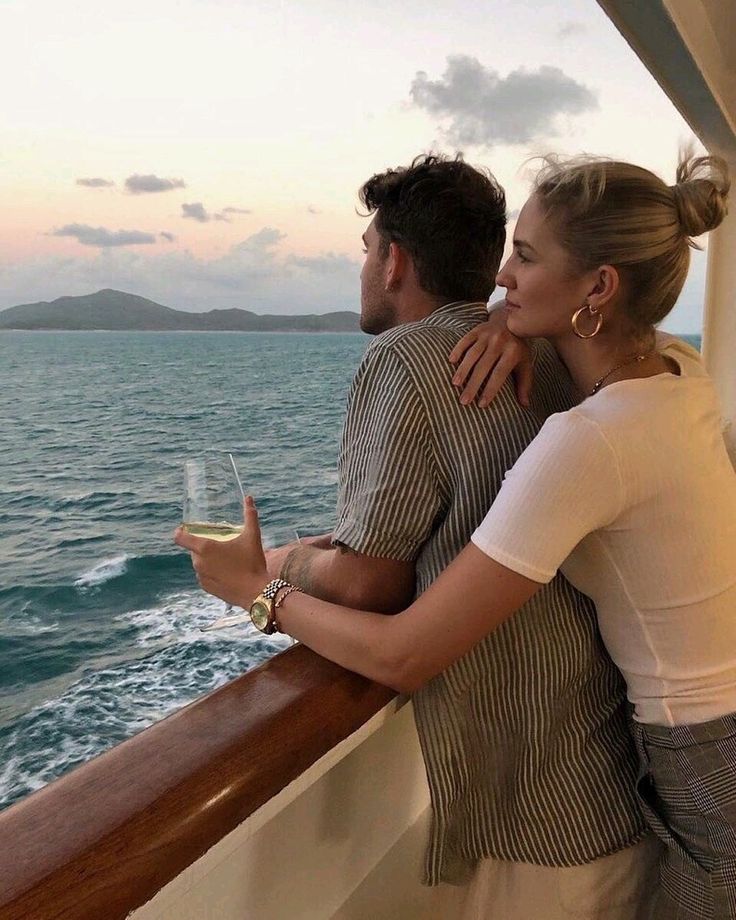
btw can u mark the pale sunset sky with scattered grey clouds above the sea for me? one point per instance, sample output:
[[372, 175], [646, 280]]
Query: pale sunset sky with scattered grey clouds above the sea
[[207, 153]]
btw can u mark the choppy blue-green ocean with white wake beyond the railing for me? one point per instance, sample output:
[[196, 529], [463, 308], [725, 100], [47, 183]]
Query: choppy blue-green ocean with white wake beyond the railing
[[100, 614]]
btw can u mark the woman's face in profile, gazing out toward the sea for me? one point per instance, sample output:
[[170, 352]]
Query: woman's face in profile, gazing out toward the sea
[[542, 293]]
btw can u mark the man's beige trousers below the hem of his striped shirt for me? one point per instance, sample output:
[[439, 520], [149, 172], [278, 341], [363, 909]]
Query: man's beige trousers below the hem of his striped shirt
[[617, 887]]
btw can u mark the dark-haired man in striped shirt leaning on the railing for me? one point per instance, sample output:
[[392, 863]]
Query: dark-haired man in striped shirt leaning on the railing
[[528, 758]]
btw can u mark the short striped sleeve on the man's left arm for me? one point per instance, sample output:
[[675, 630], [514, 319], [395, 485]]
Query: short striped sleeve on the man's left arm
[[388, 499]]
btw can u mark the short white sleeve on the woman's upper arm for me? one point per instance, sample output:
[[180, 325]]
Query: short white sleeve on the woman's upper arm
[[564, 486]]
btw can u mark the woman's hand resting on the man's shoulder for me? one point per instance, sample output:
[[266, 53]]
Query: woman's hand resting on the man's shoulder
[[486, 356]]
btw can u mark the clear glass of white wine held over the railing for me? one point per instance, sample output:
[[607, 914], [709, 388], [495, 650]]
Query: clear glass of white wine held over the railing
[[213, 496]]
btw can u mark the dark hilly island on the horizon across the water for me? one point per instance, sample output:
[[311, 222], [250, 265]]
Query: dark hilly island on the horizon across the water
[[117, 311]]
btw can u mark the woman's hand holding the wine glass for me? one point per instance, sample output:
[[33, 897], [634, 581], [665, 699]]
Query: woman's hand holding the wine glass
[[234, 570]]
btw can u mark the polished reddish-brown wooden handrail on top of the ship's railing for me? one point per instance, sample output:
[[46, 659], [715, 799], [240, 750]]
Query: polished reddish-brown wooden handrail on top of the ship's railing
[[103, 839]]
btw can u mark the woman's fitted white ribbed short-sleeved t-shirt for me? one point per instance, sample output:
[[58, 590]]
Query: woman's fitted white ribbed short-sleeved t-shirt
[[633, 496]]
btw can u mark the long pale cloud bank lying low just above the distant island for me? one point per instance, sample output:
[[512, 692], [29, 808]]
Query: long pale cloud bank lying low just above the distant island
[[255, 274]]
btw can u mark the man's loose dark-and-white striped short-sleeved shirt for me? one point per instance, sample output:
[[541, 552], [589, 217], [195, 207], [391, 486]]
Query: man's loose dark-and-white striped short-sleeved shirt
[[525, 738]]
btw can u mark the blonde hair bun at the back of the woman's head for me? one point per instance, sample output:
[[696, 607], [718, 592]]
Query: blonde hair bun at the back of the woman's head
[[701, 193]]
